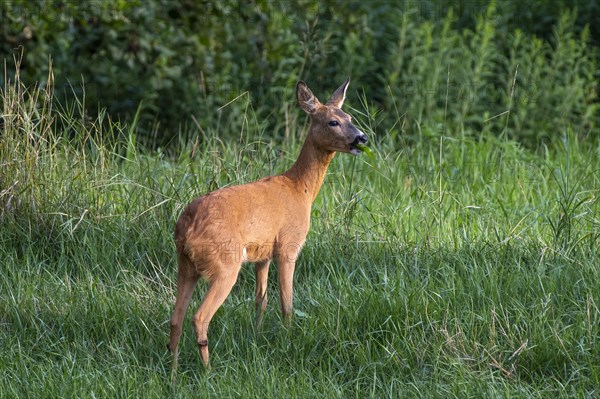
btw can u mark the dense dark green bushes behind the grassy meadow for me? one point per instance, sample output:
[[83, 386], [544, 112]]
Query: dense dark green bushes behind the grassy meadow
[[452, 67]]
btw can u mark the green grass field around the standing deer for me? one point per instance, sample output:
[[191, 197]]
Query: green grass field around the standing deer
[[452, 264]]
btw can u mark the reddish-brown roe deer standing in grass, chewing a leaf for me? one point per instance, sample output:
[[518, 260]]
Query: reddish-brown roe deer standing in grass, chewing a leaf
[[256, 222]]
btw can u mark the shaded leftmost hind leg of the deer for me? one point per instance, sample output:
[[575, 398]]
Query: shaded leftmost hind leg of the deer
[[186, 282]]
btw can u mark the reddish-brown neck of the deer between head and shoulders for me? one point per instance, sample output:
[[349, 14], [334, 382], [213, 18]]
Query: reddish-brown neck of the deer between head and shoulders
[[308, 172]]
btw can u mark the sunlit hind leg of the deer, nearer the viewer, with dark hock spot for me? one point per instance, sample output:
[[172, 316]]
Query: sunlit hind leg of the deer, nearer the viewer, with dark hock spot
[[219, 288]]
